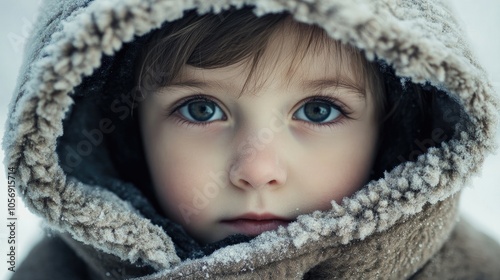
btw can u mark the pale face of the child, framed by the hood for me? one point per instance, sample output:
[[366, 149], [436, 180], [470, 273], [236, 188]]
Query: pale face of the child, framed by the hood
[[223, 165]]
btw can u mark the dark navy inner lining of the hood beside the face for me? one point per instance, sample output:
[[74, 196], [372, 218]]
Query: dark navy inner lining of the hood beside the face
[[101, 144]]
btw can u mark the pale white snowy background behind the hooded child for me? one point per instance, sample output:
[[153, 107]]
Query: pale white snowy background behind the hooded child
[[480, 201]]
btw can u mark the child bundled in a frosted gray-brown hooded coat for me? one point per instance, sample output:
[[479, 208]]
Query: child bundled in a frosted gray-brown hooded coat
[[312, 140]]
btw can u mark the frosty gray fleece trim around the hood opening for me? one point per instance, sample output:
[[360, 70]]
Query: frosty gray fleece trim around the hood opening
[[97, 217]]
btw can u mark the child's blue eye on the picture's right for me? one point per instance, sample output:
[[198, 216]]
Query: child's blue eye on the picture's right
[[318, 111]]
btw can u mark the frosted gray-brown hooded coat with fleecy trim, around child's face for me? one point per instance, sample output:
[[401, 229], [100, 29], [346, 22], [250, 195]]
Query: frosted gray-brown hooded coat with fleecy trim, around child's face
[[402, 225]]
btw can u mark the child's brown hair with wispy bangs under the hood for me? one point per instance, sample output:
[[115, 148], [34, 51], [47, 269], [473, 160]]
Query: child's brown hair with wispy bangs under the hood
[[217, 40]]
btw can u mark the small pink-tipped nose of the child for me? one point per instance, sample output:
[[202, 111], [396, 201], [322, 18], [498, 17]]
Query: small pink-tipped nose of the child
[[260, 169]]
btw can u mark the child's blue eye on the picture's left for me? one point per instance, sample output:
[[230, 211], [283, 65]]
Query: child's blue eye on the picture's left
[[201, 110]]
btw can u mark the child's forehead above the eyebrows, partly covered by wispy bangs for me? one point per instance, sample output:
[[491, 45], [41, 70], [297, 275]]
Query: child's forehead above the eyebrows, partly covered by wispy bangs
[[295, 53]]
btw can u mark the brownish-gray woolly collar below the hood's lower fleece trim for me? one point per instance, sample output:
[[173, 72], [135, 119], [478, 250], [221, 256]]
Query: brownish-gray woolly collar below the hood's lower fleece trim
[[395, 254]]
